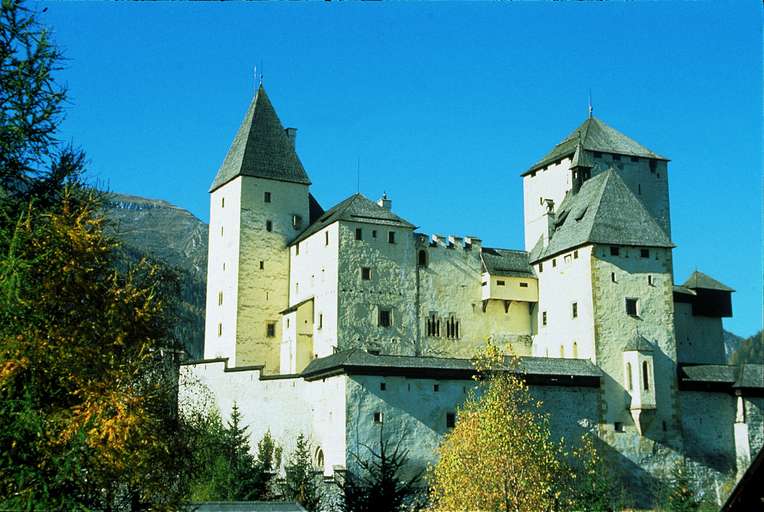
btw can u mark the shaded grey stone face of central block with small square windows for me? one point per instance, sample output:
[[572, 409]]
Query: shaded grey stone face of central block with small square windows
[[391, 287]]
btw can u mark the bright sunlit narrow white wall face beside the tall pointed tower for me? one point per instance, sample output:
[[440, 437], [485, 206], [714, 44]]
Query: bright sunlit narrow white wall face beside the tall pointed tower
[[315, 274]]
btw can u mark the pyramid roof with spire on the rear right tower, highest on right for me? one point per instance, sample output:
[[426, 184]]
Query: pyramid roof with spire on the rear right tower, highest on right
[[594, 135]]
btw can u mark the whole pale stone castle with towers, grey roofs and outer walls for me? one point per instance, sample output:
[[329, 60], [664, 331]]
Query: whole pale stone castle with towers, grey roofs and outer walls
[[334, 323]]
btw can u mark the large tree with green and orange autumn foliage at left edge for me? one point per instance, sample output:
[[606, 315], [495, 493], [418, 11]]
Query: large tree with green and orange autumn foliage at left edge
[[87, 412]]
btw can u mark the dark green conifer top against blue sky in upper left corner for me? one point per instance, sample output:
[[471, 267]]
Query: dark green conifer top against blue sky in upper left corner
[[33, 164]]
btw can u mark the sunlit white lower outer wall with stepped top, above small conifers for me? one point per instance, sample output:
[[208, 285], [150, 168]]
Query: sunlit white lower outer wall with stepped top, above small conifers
[[285, 406]]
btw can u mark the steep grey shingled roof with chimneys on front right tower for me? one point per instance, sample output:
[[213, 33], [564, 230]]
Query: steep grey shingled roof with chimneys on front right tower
[[604, 211]]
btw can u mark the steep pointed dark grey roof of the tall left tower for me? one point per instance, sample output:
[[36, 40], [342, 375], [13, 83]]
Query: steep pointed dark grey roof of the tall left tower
[[261, 148]]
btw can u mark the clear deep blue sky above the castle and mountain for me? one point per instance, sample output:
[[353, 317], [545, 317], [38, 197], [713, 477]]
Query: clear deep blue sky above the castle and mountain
[[443, 104]]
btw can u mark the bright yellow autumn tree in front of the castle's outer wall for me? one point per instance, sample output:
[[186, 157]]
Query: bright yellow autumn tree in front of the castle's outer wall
[[500, 455]]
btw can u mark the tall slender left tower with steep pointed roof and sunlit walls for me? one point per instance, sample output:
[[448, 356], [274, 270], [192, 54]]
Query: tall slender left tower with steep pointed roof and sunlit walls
[[259, 202]]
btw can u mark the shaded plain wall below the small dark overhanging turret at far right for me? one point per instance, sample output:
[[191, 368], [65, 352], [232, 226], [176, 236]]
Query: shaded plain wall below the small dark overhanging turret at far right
[[699, 339]]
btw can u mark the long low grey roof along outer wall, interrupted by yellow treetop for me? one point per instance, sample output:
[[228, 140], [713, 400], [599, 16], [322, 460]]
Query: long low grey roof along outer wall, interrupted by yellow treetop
[[357, 361]]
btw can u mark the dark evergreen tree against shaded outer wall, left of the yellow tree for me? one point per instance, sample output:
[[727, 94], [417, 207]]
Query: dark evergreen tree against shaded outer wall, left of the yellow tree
[[378, 482]]
